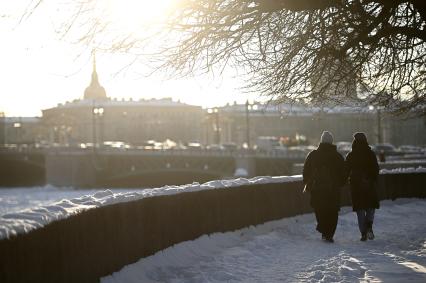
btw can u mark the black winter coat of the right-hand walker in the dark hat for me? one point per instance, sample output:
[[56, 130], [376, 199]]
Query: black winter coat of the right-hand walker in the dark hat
[[361, 164]]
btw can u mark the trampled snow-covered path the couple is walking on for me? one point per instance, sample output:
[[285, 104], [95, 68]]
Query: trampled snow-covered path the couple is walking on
[[289, 250]]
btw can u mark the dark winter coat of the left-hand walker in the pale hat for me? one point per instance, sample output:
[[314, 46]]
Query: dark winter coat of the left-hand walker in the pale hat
[[325, 155]]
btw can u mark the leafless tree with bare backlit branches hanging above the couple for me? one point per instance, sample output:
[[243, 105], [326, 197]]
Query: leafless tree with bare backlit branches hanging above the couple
[[316, 51]]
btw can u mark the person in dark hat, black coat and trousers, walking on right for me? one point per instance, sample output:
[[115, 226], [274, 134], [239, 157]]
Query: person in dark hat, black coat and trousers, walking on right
[[363, 170]]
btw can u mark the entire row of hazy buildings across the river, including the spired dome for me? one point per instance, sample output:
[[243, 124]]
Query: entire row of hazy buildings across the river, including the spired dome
[[96, 118]]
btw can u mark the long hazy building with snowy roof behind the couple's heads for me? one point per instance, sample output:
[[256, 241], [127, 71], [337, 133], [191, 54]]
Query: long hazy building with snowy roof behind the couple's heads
[[238, 121]]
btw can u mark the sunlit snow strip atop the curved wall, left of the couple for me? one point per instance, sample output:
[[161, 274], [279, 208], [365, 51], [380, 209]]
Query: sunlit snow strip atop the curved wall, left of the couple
[[12, 224]]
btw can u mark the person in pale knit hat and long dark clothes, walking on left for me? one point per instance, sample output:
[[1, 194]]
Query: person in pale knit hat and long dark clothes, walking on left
[[323, 175]]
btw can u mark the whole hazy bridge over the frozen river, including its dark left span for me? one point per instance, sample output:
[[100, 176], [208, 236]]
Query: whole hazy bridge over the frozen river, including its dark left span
[[110, 167]]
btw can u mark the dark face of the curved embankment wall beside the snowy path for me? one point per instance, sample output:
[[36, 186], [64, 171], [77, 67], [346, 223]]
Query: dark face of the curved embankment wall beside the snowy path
[[97, 242]]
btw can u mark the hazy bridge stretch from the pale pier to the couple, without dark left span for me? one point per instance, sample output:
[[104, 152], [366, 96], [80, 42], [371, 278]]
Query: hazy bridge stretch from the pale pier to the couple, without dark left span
[[136, 168]]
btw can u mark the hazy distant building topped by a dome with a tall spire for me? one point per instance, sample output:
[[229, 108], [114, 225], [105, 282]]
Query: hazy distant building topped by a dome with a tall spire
[[97, 118]]
